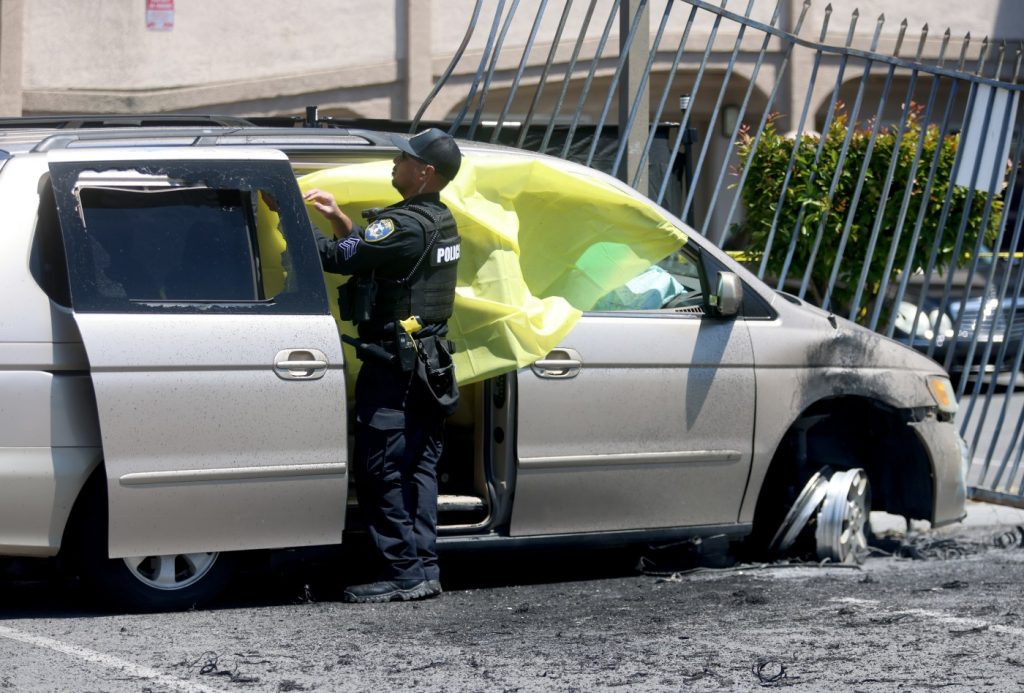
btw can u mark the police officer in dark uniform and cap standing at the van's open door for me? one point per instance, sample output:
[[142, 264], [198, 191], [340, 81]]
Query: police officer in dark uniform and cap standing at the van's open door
[[401, 294]]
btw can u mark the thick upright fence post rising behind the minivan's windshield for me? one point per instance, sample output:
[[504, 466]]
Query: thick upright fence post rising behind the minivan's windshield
[[631, 81]]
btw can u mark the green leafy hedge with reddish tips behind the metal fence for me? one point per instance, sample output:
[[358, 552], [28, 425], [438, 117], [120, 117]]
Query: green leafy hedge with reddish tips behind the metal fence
[[763, 186]]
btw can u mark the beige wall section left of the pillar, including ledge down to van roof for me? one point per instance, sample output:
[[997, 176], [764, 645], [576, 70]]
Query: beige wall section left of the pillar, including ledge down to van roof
[[98, 56]]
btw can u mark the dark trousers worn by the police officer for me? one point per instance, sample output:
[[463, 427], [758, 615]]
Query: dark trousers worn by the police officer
[[398, 446]]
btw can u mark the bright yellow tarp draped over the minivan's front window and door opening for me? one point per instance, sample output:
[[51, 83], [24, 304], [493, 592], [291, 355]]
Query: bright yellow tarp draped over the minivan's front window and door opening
[[540, 244]]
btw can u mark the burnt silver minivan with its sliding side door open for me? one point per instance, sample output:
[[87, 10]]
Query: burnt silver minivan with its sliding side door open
[[169, 407]]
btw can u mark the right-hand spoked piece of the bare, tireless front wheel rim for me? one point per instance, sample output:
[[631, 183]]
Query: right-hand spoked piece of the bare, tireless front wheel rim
[[843, 521]]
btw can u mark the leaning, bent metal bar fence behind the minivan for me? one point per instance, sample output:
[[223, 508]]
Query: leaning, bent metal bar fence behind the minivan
[[878, 176]]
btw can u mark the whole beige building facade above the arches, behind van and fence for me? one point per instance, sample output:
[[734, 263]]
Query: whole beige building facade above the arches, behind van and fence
[[362, 60]]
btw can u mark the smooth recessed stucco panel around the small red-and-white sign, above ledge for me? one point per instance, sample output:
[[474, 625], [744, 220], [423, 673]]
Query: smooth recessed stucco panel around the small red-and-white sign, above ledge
[[104, 45]]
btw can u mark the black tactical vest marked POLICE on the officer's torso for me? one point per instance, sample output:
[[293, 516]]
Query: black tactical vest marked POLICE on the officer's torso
[[429, 290]]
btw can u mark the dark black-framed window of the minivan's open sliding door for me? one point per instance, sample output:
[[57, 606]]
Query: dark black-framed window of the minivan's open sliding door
[[187, 237]]
